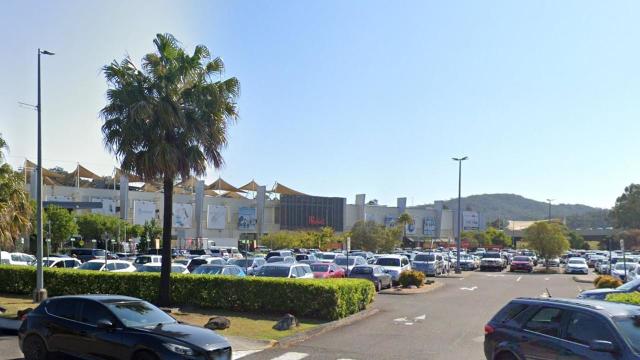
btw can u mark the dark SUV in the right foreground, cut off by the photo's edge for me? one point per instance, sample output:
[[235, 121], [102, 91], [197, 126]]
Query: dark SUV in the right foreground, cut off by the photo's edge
[[563, 329]]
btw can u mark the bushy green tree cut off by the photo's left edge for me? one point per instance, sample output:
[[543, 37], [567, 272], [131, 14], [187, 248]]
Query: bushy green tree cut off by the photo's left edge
[[15, 208]]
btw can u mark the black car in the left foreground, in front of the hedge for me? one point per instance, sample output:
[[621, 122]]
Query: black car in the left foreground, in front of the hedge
[[114, 327]]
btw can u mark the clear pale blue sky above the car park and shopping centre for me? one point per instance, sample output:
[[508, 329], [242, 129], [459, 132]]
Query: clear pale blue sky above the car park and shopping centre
[[345, 97]]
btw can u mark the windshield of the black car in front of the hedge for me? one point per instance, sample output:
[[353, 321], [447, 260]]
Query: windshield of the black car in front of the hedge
[[139, 314]]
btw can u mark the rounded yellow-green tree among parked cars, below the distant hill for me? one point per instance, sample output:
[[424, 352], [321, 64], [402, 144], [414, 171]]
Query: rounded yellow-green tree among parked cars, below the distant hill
[[548, 239]]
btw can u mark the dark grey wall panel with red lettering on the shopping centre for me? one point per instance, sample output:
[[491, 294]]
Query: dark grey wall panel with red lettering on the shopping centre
[[308, 212]]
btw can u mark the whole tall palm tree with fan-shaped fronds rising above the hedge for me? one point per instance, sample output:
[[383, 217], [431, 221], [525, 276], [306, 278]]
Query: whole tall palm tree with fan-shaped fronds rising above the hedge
[[168, 119]]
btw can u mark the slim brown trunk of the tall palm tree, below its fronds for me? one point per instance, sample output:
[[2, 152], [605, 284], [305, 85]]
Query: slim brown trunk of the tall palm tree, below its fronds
[[165, 273]]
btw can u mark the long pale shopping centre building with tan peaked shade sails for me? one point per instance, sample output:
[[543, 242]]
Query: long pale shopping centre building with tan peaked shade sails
[[222, 214]]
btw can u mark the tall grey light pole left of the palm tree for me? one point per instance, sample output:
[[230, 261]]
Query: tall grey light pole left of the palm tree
[[40, 293]]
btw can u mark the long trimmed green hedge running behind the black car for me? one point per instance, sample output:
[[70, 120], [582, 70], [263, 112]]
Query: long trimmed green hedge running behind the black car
[[329, 299]]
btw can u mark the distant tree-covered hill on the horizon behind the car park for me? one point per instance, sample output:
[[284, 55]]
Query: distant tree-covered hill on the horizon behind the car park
[[517, 207]]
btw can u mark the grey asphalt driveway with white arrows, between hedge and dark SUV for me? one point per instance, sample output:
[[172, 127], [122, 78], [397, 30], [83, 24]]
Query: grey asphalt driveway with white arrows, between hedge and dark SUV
[[446, 323]]
